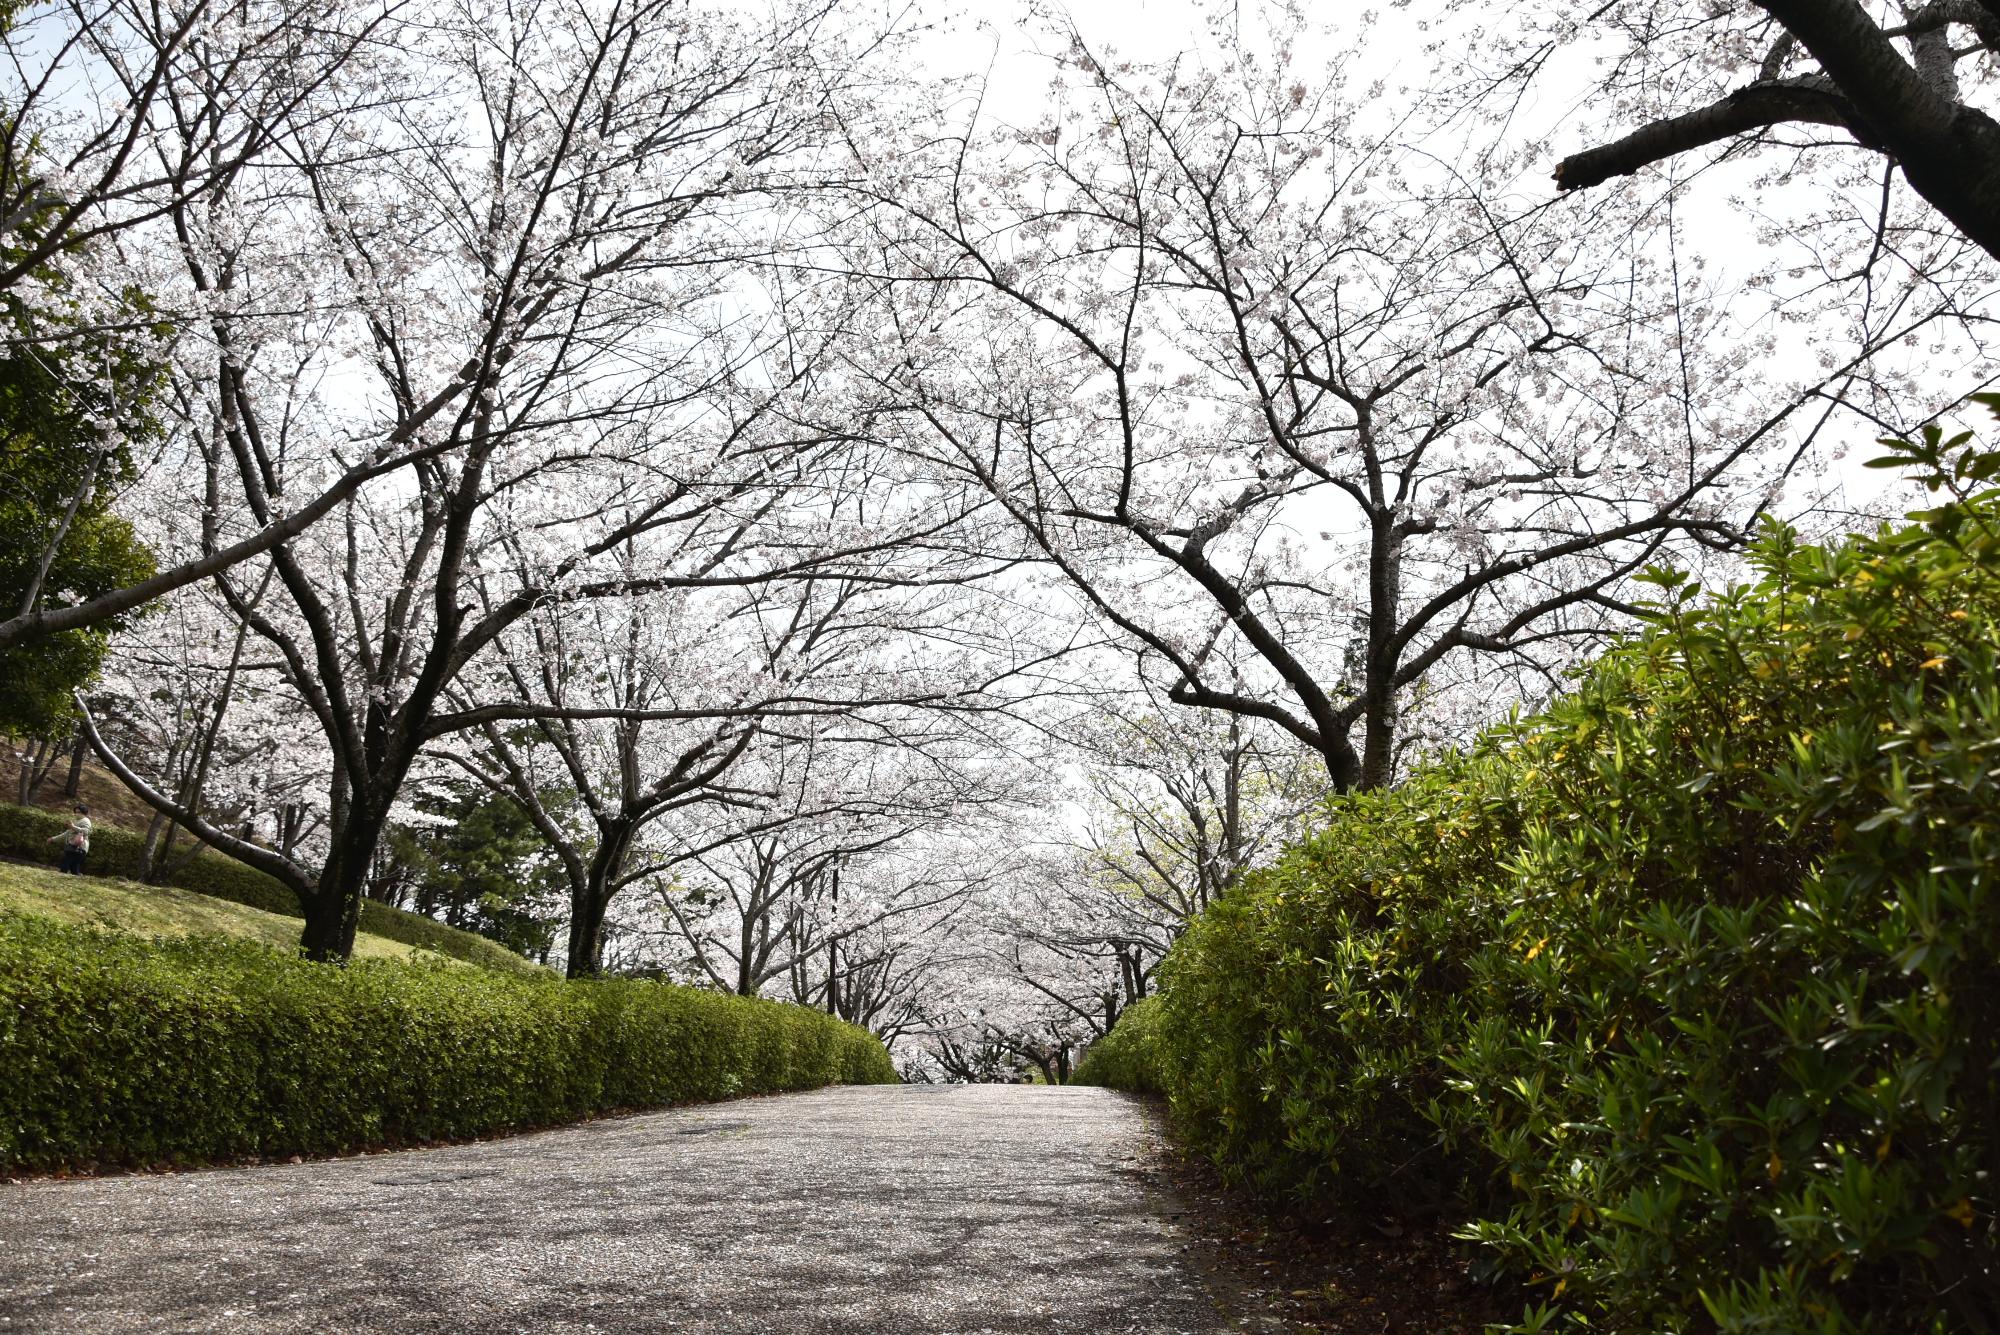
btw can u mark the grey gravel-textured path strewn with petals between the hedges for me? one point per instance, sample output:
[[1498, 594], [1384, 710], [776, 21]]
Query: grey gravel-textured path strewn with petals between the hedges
[[877, 1210]]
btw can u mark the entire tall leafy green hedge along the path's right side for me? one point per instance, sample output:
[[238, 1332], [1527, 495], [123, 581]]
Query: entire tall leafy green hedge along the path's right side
[[1687, 992]]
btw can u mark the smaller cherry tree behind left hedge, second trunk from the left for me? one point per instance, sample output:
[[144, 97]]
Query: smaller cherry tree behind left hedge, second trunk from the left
[[651, 704]]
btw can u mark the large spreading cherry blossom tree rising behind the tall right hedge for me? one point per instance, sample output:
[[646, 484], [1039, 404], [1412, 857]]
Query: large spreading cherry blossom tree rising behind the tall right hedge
[[1309, 409]]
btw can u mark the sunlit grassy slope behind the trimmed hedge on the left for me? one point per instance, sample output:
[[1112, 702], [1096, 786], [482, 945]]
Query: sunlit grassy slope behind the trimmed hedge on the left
[[163, 910]]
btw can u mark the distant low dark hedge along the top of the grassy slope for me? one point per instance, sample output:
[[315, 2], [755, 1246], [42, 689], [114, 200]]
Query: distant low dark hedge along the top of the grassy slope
[[25, 832]]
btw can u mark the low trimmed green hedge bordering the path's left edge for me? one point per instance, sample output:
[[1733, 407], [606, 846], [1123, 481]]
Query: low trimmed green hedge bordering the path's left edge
[[121, 1050]]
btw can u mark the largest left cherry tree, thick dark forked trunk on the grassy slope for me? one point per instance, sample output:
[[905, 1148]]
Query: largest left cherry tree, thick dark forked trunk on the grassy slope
[[535, 277]]
